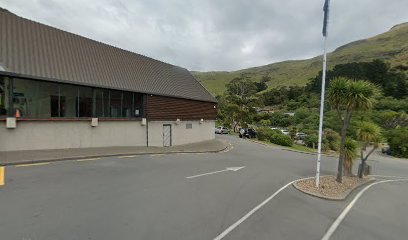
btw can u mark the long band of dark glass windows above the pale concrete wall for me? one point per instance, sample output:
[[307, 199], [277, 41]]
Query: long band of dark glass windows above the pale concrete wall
[[39, 99]]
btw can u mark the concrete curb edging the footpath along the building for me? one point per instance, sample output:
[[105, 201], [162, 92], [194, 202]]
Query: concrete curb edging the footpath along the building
[[225, 147]]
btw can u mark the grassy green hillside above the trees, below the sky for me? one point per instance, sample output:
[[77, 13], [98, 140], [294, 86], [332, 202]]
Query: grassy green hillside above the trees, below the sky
[[391, 46]]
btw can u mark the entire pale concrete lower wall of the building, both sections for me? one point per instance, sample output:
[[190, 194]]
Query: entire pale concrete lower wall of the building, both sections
[[35, 135]]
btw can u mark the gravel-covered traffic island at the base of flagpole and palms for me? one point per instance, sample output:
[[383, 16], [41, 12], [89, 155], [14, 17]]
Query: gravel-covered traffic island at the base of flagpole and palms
[[329, 188]]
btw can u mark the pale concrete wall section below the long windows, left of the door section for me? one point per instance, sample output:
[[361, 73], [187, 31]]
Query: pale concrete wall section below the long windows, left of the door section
[[34, 135]]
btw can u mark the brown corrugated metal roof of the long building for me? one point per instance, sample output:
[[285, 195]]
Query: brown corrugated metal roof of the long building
[[32, 49]]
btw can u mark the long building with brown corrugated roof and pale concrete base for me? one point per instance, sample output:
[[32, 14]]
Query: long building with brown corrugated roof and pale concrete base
[[60, 90]]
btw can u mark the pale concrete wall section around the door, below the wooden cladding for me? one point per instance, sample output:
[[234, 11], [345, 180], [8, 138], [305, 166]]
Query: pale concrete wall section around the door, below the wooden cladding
[[180, 135]]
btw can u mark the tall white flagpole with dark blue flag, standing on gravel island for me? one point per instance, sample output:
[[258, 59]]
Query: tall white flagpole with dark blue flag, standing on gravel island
[[319, 146]]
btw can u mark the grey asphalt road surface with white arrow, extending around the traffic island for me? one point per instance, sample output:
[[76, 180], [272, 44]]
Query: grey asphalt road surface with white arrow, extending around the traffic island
[[189, 196]]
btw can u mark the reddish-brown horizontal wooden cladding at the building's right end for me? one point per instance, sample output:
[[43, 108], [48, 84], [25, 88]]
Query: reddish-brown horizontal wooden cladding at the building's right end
[[168, 108]]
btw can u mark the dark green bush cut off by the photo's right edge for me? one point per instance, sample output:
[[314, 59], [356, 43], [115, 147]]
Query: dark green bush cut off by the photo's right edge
[[398, 141]]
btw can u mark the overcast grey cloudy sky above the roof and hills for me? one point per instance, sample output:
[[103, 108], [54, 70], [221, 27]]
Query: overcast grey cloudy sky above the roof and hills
[[211, 35]]
